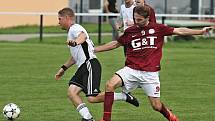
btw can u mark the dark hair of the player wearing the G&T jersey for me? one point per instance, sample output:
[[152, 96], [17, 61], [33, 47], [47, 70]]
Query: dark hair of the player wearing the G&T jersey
[[142, 10]]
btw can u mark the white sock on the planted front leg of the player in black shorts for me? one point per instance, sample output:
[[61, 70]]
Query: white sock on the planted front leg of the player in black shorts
[[84, 111]]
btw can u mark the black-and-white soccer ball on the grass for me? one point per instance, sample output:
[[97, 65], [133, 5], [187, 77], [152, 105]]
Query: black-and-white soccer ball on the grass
[[11, 111]]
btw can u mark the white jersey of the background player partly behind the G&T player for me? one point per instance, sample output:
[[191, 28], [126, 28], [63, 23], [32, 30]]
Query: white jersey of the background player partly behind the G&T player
[[126, 15]]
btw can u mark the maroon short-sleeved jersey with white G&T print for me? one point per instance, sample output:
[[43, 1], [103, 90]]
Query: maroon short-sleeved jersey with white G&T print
[[144, 46]]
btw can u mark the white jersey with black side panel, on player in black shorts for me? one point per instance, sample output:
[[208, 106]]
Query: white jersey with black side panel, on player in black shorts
[[83, 52]]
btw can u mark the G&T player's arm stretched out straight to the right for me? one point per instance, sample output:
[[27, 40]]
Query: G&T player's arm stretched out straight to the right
[[187, 31]]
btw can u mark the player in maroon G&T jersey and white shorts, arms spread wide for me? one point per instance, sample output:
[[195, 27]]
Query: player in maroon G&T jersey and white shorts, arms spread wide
[[143, 42]]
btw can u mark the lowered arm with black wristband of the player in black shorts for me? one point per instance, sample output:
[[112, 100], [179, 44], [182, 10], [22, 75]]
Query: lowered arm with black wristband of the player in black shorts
[[64, 67]]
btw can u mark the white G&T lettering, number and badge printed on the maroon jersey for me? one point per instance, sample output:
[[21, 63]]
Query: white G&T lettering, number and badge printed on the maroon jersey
[[147, 42]]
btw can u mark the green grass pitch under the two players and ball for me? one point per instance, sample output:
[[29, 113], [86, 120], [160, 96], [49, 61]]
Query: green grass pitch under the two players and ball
[[27, 72]]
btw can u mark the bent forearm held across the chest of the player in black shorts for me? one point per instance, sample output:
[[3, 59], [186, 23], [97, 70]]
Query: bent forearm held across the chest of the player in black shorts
[[79, 40]]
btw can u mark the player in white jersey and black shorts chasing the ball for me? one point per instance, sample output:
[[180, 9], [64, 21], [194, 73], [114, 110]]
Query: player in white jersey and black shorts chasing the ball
[[88, 75]]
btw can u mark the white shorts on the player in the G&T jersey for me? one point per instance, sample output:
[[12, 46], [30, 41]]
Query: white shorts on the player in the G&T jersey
[[148, 81]]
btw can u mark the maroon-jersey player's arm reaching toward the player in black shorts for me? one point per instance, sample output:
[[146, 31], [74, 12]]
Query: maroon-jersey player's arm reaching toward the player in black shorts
[[109, 46]]
